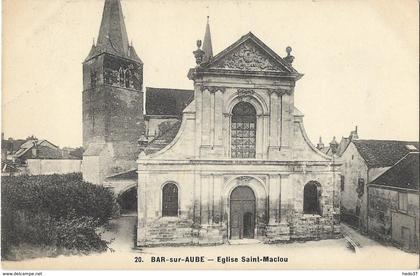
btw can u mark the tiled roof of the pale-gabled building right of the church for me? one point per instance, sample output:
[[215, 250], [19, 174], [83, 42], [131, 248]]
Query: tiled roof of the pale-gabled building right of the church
[[382, 153]]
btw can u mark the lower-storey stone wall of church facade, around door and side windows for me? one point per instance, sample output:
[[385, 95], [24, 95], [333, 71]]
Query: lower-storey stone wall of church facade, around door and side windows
[[204, 204]]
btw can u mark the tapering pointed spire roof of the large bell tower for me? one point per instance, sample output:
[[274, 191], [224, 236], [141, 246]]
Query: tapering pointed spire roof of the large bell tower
[[112, 38]]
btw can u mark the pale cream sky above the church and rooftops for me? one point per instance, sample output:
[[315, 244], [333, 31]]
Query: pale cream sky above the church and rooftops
[[359, 59]]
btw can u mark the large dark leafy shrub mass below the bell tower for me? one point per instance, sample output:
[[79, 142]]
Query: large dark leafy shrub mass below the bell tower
[[61, 211]]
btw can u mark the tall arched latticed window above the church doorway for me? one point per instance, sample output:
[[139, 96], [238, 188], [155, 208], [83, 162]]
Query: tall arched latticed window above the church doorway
[[243, 131]]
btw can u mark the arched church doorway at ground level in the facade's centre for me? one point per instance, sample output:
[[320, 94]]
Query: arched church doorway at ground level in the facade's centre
[[242, 213]]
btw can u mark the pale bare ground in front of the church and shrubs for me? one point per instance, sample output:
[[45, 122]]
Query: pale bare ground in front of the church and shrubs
[[324, 254]]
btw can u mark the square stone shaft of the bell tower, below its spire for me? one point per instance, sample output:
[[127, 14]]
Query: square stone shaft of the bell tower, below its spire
[[112, 117]]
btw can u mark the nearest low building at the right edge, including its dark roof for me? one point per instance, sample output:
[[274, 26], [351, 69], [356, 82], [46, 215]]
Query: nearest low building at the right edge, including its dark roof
[[393, 200]]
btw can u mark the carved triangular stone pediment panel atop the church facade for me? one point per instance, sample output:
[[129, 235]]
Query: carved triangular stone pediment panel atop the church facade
[[248, 57]]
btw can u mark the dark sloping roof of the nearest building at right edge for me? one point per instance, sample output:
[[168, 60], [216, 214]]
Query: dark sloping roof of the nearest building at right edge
[[404, 174]]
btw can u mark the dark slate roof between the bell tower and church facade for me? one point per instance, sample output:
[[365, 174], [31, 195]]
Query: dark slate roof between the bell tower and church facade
[[167, 101]]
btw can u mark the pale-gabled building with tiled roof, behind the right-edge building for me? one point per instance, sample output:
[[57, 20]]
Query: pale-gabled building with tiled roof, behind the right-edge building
[[362, 162]]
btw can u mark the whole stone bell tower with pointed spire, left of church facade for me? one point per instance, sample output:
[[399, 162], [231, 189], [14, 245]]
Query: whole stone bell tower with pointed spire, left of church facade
[[112, 99]]
